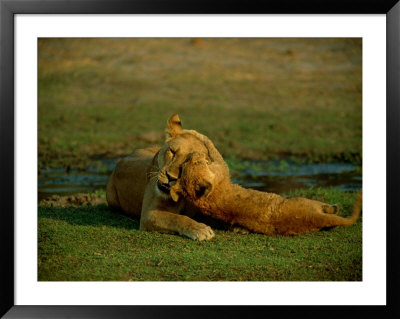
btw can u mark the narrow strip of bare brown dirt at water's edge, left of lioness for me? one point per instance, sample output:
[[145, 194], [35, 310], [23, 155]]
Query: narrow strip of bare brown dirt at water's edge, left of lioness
[[80, 199]]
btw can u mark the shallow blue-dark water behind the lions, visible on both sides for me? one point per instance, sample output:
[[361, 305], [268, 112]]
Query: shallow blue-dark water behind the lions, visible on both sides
[[269, 176]]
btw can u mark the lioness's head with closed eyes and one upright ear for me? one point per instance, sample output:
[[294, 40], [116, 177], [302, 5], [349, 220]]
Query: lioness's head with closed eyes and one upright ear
[[178, 144]]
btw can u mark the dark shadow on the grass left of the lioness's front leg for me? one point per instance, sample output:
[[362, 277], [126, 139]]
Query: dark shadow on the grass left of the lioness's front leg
[[98, 215]]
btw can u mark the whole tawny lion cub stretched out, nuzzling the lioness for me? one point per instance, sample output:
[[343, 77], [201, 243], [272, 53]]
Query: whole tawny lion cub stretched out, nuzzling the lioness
[[210, 190]]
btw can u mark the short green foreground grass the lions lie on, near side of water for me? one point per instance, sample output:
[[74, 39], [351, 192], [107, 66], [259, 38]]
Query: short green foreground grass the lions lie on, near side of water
[[94, 243]]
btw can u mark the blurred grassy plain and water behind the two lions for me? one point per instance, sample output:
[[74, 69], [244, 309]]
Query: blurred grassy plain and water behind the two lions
[[285, 113]]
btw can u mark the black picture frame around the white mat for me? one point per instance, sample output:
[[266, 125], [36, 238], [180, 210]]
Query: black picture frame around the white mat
[[9, 8]]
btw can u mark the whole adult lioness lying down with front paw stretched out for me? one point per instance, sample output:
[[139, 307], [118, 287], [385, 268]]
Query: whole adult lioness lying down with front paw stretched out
[[141, 184]]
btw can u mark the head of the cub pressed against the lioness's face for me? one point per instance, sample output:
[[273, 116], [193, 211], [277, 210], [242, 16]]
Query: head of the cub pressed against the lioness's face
[[197, 179]]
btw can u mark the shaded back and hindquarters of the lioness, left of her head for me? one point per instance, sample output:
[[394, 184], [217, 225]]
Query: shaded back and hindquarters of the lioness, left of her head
[[126, 185]]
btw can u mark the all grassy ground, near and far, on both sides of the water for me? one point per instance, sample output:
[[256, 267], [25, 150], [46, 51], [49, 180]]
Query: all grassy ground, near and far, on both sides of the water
[[255, 99]]
